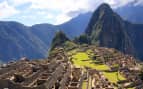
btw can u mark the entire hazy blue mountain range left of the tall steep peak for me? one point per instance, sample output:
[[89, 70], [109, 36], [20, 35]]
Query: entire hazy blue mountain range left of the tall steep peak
[[18, 40]]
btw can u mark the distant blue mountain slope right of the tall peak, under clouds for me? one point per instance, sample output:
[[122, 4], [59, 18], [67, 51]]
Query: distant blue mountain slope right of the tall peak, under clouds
[[131, 12]]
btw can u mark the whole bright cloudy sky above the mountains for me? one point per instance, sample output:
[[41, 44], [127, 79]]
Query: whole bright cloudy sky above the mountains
[[30, 12]]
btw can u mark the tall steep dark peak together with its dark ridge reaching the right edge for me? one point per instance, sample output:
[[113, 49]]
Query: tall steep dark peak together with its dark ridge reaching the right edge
[[108, 29]]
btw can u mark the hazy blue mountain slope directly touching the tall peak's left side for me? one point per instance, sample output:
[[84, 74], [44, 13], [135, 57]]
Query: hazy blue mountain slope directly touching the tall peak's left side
[[76, 26]]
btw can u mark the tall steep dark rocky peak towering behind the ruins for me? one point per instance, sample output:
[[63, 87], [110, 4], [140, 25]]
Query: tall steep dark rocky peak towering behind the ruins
[[106, 29]]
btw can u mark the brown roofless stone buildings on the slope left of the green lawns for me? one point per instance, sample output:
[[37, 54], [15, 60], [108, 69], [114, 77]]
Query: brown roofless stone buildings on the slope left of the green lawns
[[53, 73]]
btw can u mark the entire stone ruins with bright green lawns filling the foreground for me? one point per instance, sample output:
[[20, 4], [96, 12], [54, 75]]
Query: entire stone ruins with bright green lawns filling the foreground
[[63, 70]]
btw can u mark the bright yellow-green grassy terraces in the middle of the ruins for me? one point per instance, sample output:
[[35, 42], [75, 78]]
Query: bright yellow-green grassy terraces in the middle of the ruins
[[82, 59]]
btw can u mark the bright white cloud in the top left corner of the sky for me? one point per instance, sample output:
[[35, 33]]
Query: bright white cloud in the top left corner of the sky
[[7, 10]]
